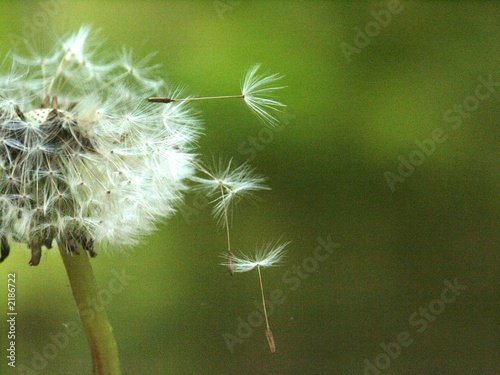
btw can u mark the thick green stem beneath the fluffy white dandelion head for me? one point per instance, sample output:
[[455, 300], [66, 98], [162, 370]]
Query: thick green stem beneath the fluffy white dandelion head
[[95, 323]]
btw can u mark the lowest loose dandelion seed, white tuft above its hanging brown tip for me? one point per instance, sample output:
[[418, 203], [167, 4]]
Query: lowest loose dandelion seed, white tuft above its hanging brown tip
[[268, 256]]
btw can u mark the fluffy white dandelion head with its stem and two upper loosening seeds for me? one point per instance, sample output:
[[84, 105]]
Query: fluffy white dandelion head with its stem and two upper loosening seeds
[[86, 161]]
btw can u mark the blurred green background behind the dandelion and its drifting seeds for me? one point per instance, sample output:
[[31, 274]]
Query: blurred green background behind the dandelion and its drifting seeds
[[347, 124]]
